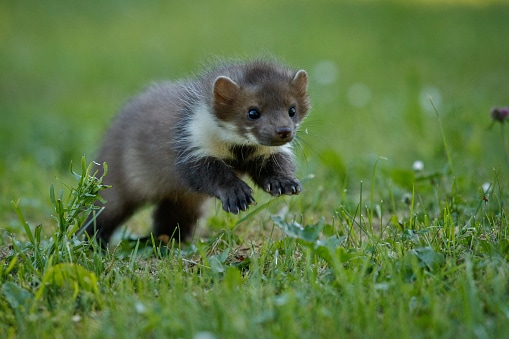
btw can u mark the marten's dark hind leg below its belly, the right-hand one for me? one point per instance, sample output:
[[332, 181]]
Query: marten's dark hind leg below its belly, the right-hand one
[[176, 218]]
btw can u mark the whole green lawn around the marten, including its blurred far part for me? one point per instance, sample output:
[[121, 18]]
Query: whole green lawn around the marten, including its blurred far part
[[371, 248]]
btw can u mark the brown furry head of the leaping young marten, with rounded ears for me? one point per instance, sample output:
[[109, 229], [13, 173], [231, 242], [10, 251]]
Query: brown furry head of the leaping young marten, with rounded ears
[[261, 103]]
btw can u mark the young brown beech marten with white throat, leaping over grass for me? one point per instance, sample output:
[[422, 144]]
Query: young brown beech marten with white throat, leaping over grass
[[178, 143]]
